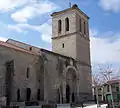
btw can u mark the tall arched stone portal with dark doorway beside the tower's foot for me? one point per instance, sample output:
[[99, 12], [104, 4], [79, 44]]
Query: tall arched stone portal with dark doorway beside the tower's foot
[[71, 83]]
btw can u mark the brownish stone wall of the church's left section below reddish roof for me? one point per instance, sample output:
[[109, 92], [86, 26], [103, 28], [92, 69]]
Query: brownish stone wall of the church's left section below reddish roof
[[22, 61]]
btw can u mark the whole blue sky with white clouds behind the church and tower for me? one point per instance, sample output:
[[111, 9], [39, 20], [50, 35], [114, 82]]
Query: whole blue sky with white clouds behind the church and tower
[[29, 21]]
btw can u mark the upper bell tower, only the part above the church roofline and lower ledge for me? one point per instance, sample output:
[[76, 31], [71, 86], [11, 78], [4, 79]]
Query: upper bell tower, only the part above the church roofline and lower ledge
[[70, 34]]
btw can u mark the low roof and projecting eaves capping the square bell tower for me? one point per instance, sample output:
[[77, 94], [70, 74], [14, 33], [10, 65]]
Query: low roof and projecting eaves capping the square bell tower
[[74, 7]]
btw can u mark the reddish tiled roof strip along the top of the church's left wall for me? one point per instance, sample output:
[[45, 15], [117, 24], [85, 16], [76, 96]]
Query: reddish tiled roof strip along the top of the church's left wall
[[4, 44]]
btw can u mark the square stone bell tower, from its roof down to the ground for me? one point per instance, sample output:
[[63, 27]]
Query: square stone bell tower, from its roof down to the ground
[[70, 37]]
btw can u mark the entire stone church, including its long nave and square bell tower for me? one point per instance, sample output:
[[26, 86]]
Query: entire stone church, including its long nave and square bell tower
[[62, 75]]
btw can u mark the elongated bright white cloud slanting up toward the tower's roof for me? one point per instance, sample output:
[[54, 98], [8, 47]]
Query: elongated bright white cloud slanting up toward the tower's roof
[[33, 10]]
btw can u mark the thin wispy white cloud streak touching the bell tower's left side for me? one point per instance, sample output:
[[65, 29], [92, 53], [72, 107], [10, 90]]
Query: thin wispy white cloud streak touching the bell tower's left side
[[45, 30]]
